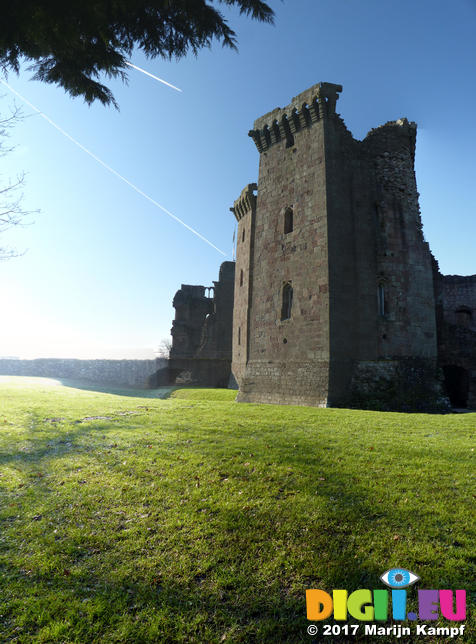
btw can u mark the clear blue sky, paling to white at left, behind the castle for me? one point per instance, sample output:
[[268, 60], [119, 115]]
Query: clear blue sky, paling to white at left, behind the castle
[[102, 263]]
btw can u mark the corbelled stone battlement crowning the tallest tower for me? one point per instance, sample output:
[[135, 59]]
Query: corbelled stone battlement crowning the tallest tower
[[281, 124]]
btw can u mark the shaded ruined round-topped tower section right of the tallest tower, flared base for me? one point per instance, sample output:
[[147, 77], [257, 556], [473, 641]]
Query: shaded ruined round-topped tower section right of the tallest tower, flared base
[[400, 318]]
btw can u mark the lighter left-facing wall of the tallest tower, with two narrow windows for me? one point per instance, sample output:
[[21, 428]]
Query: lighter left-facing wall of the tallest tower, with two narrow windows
[[288, 359]]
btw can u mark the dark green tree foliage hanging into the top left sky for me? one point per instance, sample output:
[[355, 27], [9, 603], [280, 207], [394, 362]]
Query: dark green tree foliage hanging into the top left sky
[[72, 43]]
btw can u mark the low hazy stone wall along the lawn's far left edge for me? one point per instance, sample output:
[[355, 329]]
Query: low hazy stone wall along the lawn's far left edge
[[116, 372]]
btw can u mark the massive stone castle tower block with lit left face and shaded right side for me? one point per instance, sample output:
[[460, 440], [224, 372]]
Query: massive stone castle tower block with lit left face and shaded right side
[[334, 285]]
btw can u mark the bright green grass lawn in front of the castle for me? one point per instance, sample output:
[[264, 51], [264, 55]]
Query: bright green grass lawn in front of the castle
[[196, 519]]
